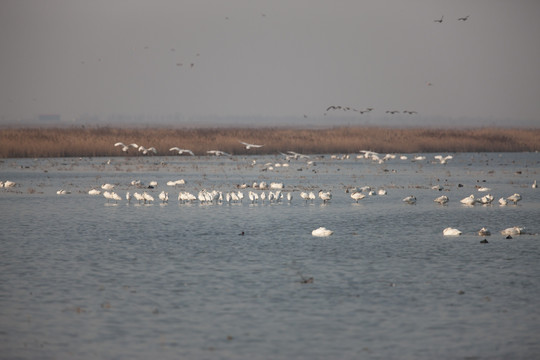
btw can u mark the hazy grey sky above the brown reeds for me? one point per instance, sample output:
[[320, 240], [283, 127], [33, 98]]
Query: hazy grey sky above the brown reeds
[[274, 58]]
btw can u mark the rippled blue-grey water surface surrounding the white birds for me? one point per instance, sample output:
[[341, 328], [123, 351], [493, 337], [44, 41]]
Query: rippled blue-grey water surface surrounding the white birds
[[81, 278]]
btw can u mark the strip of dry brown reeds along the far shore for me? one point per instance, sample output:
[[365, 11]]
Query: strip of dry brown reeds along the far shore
[[99, 141]]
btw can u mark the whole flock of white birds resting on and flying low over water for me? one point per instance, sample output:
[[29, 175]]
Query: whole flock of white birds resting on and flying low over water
[[275, 191]]
